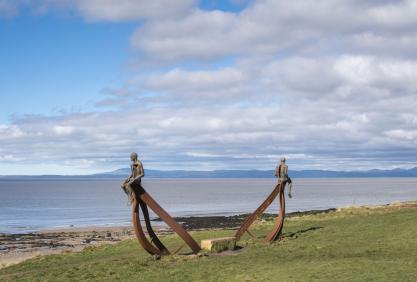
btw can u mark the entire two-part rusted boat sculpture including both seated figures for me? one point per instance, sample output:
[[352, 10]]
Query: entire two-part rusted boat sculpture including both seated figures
[[141, 200]]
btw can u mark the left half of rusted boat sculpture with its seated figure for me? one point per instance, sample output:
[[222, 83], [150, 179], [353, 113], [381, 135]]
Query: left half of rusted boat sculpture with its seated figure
[[139, 198]]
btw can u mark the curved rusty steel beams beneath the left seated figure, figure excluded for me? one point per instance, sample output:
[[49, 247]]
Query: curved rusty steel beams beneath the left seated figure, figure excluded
[[155, 246]]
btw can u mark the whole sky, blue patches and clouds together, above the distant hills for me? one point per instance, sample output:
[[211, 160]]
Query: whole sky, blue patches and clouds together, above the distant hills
[[205, 85]]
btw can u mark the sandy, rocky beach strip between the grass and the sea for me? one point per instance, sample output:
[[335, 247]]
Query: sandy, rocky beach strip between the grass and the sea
[[15, 248]]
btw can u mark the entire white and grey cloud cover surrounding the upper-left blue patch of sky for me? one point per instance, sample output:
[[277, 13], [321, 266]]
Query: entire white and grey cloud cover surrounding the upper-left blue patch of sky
[[330, 84]]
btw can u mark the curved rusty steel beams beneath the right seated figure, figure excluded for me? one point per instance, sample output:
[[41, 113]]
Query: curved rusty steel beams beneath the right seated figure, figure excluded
[[277, 230]]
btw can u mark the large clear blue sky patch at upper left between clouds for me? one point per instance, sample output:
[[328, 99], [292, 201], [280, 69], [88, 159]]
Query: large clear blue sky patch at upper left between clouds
[[53, 63]]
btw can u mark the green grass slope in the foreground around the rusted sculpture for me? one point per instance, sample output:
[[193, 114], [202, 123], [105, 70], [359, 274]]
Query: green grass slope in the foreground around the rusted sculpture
[[349, 245]]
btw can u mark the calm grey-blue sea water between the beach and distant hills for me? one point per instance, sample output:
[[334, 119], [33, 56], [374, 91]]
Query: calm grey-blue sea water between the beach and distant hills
[[33, 205]]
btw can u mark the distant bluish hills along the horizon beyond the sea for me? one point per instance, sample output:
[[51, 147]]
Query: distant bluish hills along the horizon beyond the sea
[[150, 173]]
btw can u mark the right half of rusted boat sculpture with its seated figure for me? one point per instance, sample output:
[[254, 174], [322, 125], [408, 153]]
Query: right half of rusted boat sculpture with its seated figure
[[282, 173]]
